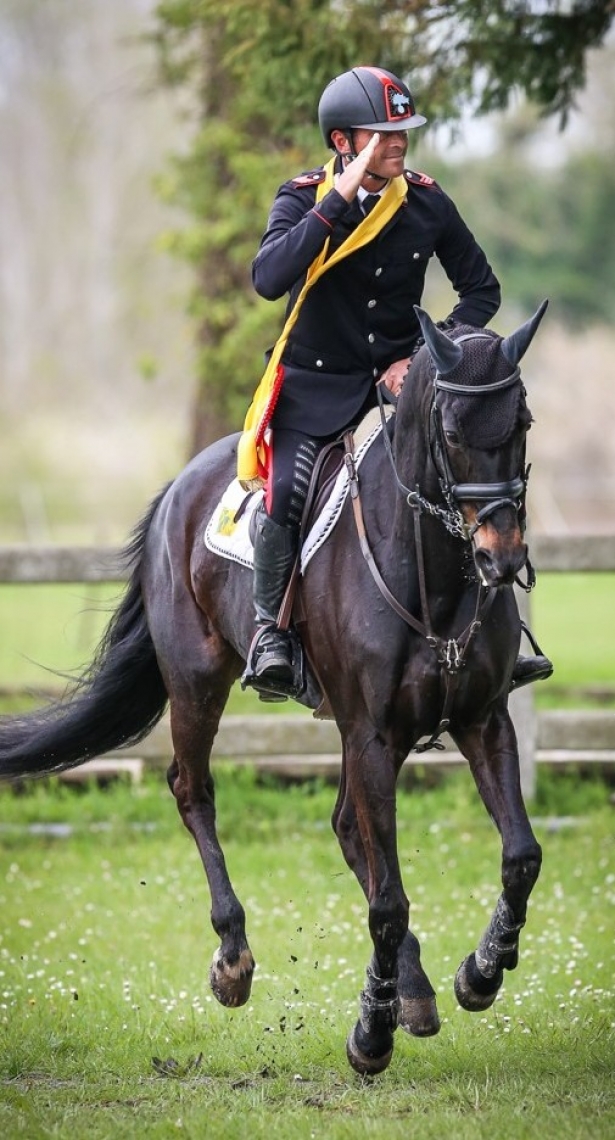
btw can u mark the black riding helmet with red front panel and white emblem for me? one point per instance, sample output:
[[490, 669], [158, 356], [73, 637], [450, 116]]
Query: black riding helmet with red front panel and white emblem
[[367, 99]]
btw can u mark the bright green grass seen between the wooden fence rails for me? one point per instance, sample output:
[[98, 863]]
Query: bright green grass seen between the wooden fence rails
[[58, 628]]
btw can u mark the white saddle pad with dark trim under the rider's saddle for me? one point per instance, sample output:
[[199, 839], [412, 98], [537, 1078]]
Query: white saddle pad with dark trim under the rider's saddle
[[230, 536]]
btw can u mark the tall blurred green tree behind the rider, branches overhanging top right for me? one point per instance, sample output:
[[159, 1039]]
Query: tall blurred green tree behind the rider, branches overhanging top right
[[254, 76]]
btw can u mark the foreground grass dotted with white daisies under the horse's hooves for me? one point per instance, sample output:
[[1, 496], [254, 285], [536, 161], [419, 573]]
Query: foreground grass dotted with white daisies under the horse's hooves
[[108, 1029]]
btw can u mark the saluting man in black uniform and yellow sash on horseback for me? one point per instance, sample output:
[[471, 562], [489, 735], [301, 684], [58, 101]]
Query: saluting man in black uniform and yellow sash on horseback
[[353, 325]]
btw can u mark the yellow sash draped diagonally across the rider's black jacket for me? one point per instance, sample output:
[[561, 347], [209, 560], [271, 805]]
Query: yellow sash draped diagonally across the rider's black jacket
[[252, 452]]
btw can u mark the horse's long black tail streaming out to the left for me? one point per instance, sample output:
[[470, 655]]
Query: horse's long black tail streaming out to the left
[[116, 702]]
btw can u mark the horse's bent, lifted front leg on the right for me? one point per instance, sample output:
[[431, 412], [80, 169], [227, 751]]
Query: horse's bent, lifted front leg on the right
[[495, 761]]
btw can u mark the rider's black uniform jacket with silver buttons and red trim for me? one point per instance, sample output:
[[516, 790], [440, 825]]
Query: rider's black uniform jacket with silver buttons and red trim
[[359, 319]]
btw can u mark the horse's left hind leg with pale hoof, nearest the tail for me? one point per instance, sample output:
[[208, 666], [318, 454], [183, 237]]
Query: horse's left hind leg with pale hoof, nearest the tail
[[197, 704]]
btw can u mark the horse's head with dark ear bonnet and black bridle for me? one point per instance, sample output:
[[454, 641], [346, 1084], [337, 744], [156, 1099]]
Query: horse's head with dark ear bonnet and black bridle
[[479, 426]]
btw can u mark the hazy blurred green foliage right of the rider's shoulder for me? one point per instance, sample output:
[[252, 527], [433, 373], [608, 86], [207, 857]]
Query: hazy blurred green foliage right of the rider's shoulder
[[561, 245]]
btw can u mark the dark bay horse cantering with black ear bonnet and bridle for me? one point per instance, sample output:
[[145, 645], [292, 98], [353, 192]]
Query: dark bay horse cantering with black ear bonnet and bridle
[[418, 636]]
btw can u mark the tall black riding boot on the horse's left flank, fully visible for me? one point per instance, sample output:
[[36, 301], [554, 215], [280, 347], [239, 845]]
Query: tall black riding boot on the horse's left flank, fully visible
[[276, 551]]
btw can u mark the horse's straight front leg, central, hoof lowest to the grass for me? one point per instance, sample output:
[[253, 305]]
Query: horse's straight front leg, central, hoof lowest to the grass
[[365, 823]]
